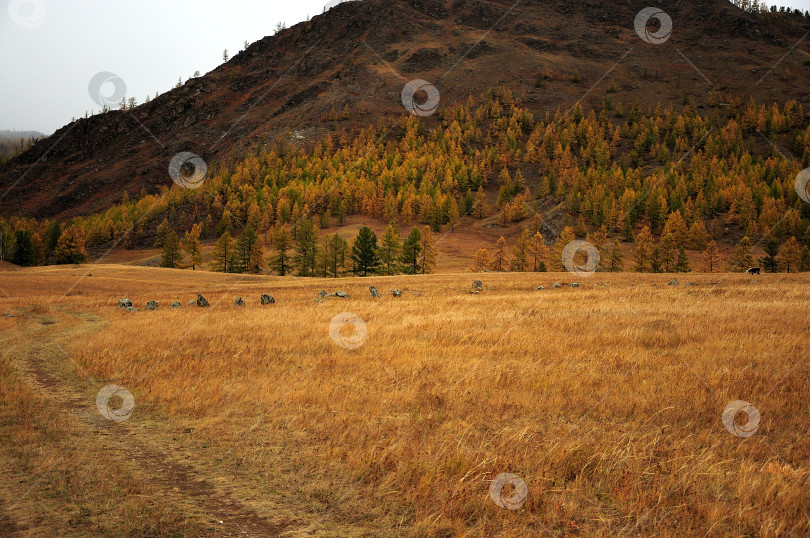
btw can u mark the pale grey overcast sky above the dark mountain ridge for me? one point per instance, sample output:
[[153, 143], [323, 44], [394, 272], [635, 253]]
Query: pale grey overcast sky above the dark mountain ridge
[[51, 49]]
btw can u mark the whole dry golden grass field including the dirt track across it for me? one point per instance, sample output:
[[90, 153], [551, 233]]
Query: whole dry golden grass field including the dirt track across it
[[604, 401]]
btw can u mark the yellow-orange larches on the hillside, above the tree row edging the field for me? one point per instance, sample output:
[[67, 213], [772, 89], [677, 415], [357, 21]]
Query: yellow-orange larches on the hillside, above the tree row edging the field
[[619, 168]]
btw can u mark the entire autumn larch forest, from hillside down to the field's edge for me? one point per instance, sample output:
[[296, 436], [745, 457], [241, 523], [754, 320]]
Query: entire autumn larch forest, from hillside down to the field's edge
[[663, 181]]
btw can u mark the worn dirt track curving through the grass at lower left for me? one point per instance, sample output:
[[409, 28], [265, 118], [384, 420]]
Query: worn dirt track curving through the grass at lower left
[[151, 451]]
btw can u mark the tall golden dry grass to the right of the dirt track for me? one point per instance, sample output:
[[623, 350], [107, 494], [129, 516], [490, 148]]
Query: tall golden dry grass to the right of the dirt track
[[606, 401]]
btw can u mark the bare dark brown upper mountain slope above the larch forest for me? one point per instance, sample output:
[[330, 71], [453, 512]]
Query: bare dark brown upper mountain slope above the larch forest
[[360, 54]]
